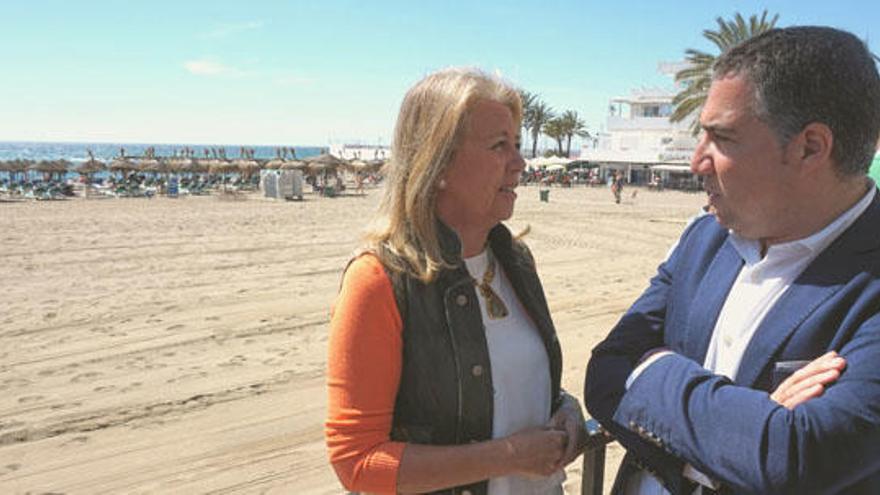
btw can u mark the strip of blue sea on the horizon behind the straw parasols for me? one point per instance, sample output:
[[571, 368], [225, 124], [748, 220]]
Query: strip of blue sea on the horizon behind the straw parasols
[[77, 153]]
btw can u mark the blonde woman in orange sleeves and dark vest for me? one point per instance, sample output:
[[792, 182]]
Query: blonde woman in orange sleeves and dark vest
[[444, 365]]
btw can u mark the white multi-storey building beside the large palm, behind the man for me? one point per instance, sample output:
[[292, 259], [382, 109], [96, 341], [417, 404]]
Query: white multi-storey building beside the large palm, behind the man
[[639, 136]]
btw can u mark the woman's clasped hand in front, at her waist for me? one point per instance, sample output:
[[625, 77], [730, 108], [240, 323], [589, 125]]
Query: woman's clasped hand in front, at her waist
[[536, 452]]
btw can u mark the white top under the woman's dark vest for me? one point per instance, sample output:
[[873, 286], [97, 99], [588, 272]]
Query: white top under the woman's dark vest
[[520, 376]]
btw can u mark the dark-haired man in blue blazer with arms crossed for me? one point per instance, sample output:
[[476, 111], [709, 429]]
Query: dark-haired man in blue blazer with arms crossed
[[785, 271]]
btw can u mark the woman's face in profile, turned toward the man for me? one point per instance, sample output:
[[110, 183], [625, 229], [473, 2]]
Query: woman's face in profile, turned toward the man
[[485, 170]]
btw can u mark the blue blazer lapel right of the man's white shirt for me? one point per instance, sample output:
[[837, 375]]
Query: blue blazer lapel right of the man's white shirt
[[827, 274]]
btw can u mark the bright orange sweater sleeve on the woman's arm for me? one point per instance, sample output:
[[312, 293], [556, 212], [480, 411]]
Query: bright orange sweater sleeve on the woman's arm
[[363, 374]]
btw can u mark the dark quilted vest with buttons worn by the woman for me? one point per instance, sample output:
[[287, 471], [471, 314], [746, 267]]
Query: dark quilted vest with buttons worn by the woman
[[445, 395]]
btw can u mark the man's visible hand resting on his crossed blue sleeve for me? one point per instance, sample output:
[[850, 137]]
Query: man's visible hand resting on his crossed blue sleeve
[[810, 381]]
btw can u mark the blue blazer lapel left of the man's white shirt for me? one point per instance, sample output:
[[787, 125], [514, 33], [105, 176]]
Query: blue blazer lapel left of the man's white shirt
[[713, 290]]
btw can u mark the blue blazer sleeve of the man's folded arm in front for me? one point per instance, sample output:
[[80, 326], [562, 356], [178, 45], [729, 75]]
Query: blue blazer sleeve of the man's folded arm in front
[[741, 436]]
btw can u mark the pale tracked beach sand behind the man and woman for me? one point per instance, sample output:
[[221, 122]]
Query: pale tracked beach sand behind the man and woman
[[179, 345]]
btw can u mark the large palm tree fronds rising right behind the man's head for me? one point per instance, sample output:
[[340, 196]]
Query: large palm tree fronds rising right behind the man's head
[[697, 76]]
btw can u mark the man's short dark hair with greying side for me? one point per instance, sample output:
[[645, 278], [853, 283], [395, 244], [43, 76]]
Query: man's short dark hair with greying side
[[809, 74]]
